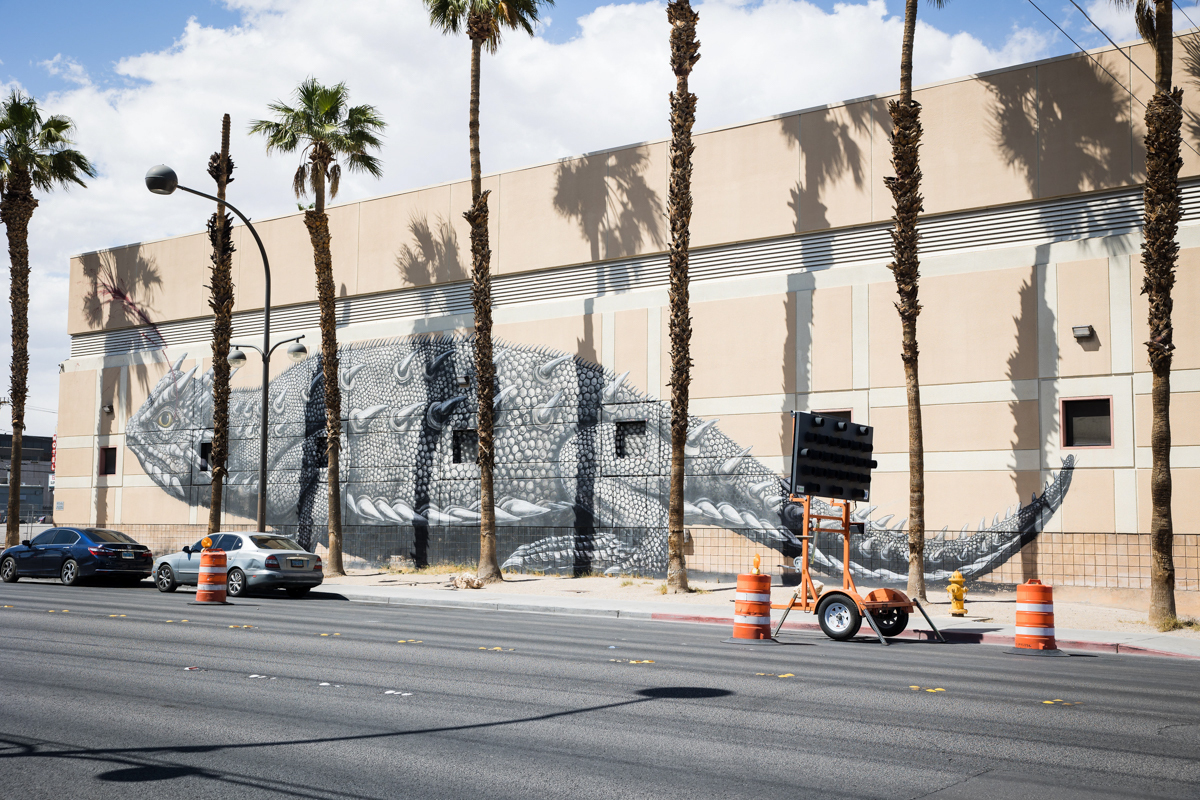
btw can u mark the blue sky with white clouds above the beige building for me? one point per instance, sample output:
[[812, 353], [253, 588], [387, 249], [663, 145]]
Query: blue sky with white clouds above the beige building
[[147, 82]]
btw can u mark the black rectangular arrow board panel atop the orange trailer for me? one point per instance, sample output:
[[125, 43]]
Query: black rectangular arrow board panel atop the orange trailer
[[832, 458]]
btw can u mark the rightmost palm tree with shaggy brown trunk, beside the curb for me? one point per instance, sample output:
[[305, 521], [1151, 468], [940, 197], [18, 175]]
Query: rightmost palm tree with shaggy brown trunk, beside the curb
[[1160, 251]]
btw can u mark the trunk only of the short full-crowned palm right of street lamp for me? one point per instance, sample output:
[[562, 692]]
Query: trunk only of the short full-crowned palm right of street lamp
[[327, 299]]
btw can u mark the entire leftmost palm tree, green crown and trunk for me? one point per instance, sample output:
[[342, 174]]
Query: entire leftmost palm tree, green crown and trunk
[[34, 154]]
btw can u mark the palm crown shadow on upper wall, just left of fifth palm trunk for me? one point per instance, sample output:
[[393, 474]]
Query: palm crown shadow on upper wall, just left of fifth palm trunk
[[619, 213]]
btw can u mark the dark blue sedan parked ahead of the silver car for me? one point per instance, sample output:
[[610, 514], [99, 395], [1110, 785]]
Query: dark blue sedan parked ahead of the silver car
[[75, 554]]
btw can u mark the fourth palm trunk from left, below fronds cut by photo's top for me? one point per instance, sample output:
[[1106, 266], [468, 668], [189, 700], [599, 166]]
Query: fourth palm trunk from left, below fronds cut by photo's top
[[489, 570]]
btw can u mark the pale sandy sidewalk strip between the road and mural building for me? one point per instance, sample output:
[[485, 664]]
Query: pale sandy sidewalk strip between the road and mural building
[[639, 599]]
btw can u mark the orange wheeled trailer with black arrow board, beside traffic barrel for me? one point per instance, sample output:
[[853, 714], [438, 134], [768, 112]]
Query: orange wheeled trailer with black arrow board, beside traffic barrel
[[832, 459]]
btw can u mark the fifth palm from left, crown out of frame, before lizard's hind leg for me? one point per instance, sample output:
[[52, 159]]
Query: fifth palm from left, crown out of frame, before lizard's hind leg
[[685, 55]]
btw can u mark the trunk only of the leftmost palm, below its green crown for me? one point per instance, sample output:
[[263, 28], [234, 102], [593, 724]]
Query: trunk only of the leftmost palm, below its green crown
[[17, 207]]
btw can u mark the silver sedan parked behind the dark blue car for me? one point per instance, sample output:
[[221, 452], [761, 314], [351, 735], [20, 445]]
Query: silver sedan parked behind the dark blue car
[[253, 562]]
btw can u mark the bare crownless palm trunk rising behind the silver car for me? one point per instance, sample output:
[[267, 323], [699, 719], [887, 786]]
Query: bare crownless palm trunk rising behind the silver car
[[221, 302]]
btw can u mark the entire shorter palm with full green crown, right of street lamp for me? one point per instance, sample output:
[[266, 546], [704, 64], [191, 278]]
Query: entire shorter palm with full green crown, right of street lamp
[[325, 128]]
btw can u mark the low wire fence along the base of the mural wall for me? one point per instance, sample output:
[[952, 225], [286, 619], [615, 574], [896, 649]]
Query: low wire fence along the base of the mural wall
[[1065, 560]]
